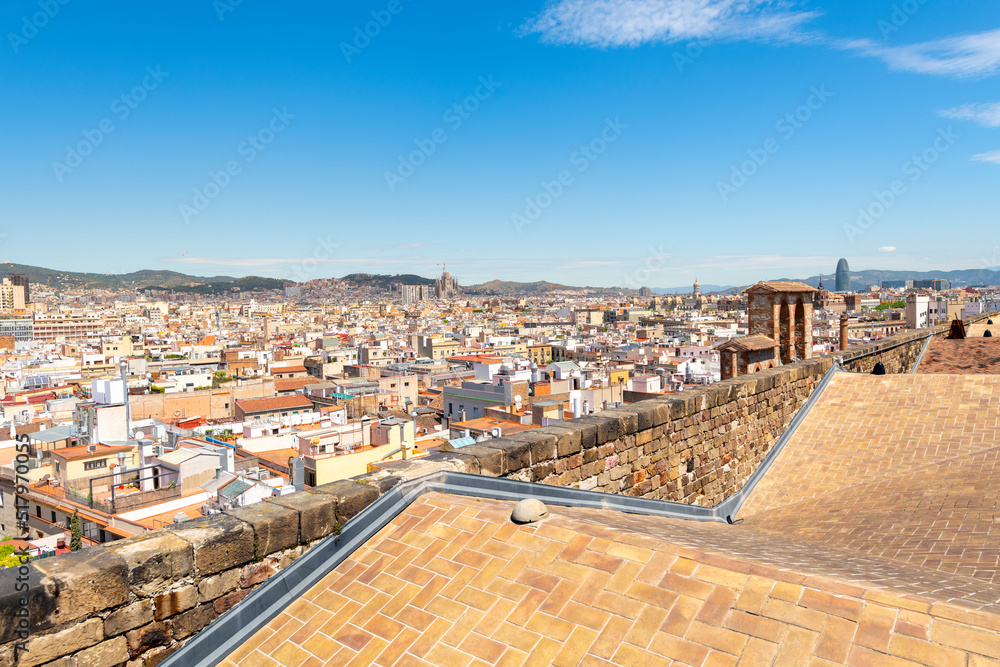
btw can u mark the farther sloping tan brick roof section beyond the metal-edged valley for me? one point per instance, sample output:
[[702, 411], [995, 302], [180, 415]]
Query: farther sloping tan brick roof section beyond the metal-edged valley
[[898, 466]]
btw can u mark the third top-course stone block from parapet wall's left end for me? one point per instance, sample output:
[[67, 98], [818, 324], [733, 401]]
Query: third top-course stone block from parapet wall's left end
[[154, 560]]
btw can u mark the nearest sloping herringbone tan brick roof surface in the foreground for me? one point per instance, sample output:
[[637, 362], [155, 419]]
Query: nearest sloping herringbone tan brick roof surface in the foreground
[[452, 581]]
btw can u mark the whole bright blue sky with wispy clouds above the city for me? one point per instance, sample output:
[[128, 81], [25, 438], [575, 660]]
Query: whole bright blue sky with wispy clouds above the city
[[611, 142]]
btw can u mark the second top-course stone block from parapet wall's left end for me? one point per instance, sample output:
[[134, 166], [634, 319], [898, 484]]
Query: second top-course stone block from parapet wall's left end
[[88, 580]]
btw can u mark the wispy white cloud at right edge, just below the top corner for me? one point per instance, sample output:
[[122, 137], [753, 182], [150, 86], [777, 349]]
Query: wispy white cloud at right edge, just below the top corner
[[968, 55]]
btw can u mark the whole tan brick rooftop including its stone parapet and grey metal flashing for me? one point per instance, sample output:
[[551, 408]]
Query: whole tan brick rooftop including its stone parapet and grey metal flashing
[[866, 536]]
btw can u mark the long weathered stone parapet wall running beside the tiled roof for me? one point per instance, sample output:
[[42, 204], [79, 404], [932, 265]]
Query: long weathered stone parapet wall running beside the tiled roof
[[135, 601]]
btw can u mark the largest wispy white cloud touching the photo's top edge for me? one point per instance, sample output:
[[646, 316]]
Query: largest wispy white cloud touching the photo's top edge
[[611, 23]]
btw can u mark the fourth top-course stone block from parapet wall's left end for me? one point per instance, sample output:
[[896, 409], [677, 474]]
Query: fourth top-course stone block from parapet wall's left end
[[219, 542]]
